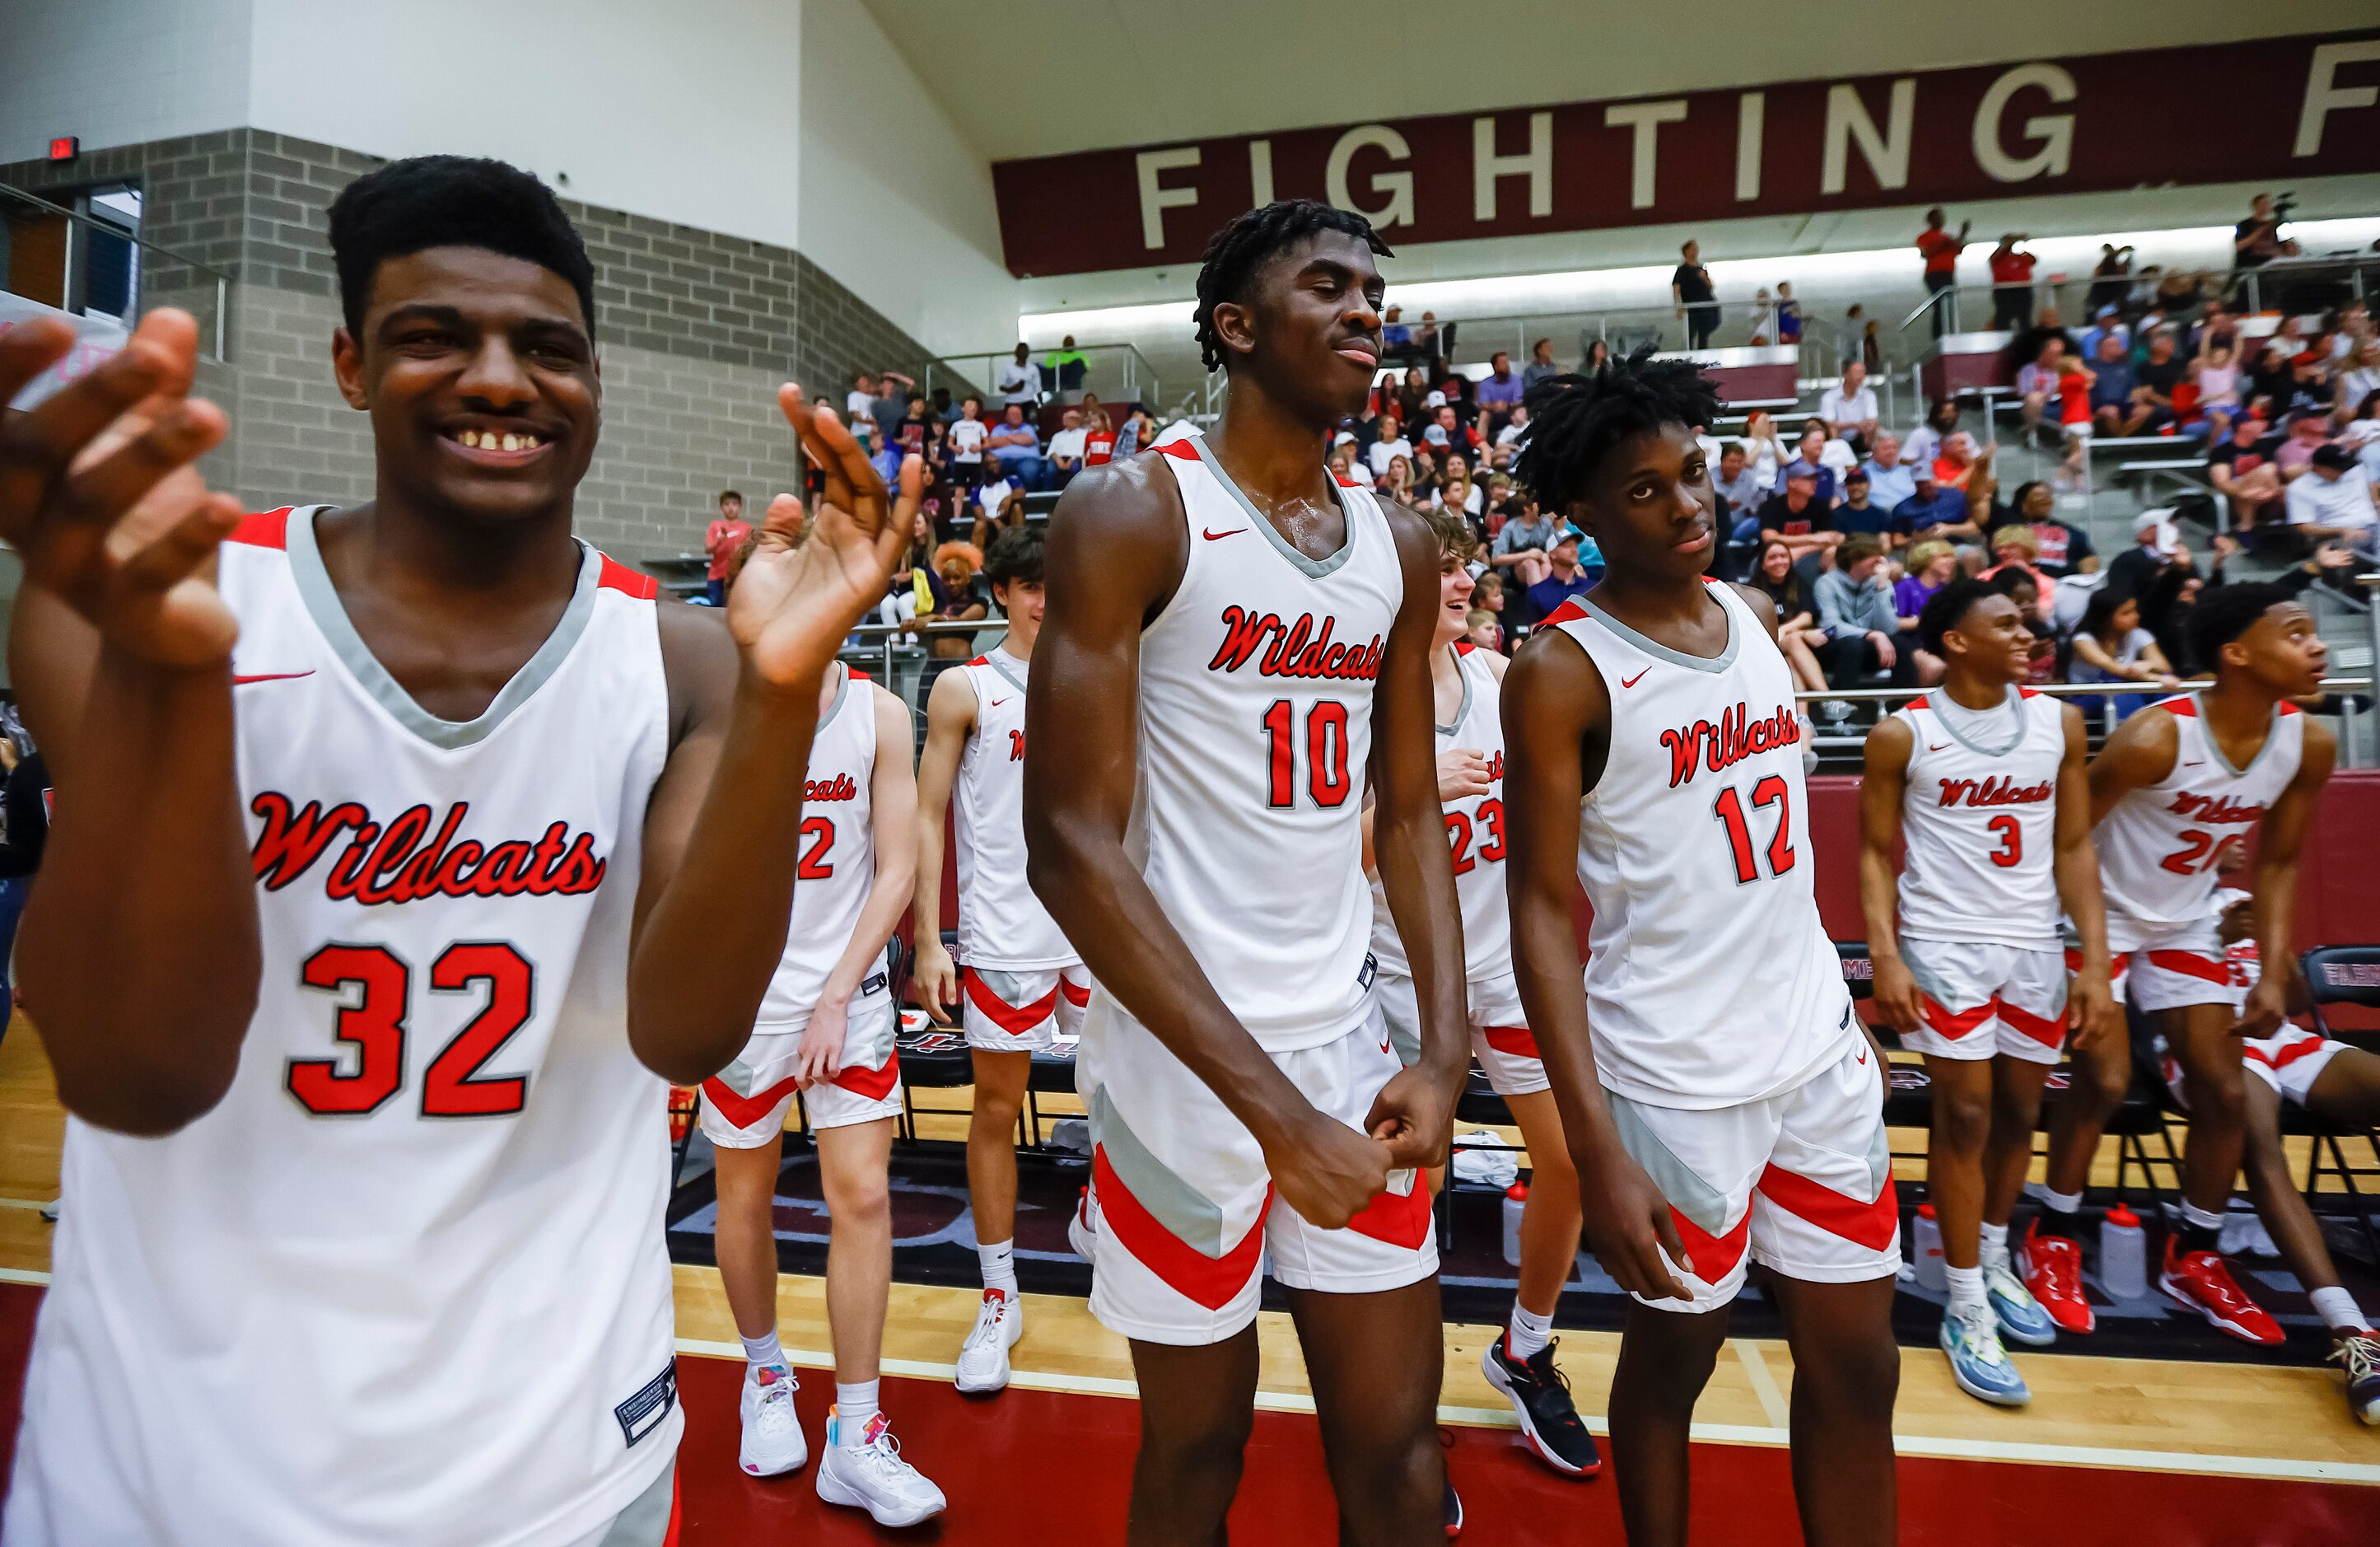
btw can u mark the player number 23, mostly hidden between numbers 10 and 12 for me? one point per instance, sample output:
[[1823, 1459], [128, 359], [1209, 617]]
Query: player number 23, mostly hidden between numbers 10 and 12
[[1467, 694]]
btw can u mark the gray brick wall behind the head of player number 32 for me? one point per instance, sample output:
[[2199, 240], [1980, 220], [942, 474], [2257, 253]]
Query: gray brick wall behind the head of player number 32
[[696, 332]]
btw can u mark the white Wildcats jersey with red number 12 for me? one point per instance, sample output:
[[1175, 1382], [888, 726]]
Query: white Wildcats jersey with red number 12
[[1710, 979]]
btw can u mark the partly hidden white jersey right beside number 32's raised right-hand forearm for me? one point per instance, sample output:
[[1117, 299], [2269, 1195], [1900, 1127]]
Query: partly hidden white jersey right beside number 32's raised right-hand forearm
[[839, 856]]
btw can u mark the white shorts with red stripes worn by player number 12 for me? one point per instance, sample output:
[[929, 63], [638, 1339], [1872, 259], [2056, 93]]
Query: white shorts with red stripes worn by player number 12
[[1798, 1179]]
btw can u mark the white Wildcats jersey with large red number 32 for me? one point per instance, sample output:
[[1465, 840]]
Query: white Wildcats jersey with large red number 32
[[406, 1282]]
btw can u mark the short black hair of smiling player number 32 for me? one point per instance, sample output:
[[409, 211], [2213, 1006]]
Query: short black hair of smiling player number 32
[[451, 201]]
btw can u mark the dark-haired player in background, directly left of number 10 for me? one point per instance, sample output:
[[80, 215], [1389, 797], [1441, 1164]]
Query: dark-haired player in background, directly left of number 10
[[1025, 987]]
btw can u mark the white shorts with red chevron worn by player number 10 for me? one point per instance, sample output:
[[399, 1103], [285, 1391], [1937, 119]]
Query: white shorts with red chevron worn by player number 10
[[1186, 1205]]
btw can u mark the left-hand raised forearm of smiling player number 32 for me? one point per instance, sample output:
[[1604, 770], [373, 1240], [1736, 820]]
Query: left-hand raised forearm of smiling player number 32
[[142, 941]]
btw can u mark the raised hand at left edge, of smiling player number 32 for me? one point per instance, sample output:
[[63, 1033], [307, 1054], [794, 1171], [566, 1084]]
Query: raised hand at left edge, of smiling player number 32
[[101, 499]]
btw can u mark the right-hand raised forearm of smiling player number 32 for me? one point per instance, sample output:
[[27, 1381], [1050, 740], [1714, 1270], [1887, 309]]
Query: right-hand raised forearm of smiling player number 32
[[715, 934]]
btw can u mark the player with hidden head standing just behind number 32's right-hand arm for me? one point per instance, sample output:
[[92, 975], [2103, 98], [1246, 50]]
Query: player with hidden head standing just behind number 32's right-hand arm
[[827, 1029]]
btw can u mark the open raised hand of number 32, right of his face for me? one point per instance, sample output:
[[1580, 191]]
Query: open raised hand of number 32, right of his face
[[810, 582]]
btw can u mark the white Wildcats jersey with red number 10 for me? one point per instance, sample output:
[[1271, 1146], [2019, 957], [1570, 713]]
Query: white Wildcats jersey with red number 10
[[1255, 725]]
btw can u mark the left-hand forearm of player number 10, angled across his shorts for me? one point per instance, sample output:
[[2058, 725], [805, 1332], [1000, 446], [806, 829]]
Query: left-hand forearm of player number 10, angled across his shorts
[[1108, 910]]
